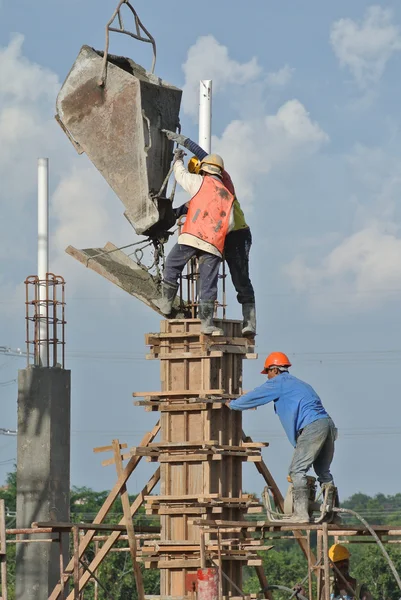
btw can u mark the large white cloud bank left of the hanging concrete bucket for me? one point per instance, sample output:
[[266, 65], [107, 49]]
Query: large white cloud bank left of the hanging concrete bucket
[[83, 208]]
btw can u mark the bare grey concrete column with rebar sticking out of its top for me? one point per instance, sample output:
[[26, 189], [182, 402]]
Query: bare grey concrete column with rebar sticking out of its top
[[43, 473]]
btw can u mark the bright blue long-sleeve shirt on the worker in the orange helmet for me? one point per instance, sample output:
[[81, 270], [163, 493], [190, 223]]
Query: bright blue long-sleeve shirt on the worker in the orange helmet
[[295, 402]]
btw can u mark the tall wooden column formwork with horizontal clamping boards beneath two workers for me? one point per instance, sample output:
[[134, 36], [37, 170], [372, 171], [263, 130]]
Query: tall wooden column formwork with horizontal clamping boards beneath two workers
[[200, 452]]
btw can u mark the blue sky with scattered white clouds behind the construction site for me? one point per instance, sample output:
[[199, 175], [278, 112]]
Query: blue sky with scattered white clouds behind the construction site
[[306, 115]]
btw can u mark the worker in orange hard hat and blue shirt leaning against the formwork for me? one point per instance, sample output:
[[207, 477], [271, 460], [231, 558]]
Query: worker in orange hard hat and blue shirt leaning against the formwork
[[306, 423]]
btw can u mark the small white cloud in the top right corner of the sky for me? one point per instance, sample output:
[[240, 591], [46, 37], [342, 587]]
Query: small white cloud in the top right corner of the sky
[[365, 47]]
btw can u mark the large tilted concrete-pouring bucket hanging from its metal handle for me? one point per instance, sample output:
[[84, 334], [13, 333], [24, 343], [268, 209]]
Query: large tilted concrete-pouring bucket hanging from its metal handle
[[114, 110]]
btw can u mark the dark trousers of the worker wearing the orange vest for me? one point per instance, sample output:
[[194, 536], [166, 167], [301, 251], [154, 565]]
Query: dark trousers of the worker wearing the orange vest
[[209, 265]]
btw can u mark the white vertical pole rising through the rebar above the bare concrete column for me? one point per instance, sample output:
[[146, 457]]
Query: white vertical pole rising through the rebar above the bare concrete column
[[43, 251]]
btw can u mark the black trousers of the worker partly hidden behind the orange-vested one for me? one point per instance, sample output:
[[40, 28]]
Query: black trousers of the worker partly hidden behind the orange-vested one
[[236, 253]]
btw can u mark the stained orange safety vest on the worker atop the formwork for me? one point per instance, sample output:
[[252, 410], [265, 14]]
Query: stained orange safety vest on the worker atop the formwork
[[209, 213]]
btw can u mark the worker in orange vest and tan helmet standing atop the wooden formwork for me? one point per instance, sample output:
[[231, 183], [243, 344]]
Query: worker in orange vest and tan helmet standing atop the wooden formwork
[[210, 218]]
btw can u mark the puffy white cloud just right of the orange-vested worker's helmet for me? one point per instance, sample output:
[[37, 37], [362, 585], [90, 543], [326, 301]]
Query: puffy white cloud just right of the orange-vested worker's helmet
[[253, 148]]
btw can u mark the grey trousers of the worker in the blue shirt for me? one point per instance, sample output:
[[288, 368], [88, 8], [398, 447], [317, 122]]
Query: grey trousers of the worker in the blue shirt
[[315, 447]]
